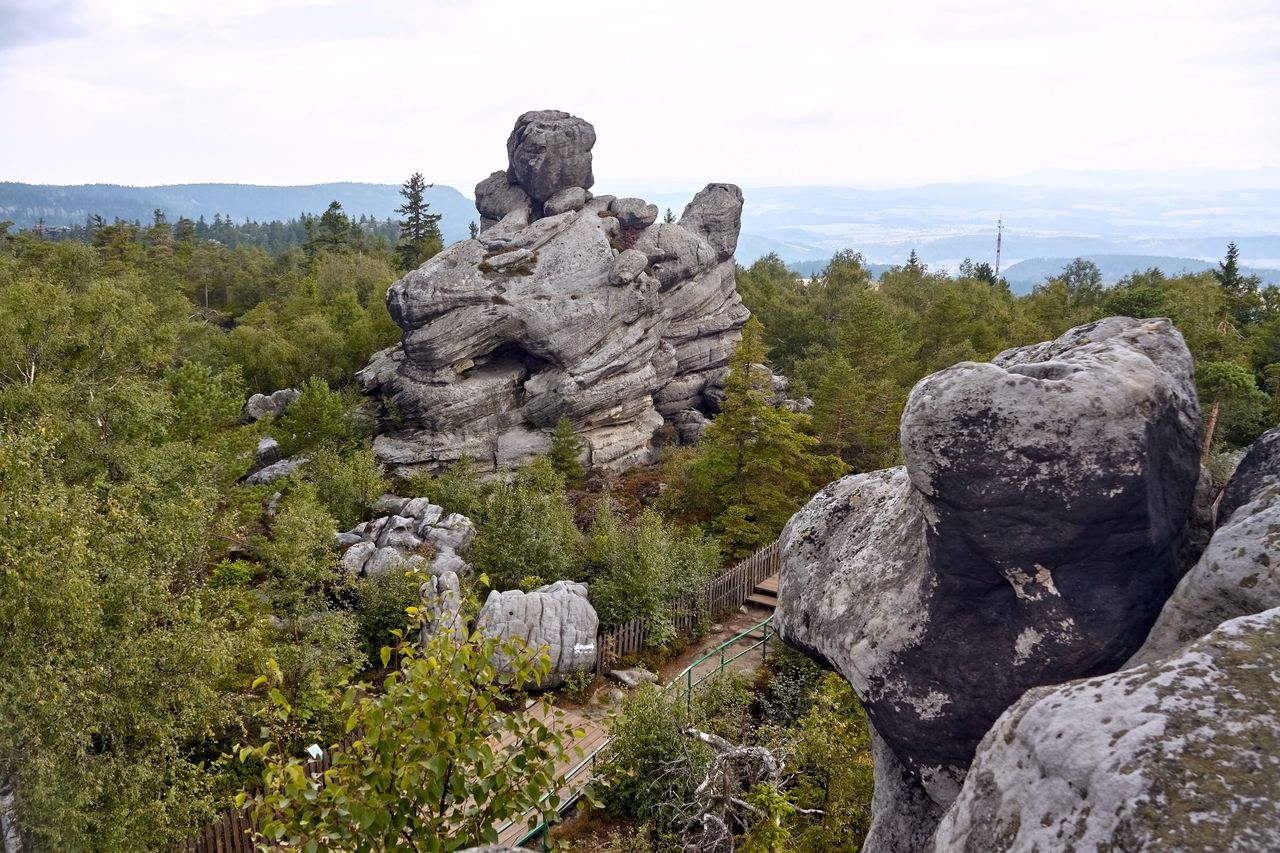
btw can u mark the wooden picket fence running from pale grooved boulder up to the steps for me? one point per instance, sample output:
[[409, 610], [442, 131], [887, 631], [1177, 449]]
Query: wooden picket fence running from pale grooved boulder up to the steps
[[723, 595]]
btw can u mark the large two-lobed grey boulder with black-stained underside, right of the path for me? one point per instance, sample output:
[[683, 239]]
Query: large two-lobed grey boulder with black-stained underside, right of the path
[[1031, 537]]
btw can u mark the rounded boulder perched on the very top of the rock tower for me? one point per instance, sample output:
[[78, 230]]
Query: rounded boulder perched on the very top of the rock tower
[[550, 152]]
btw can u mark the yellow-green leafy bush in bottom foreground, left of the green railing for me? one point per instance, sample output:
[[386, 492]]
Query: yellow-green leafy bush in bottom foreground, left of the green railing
[[427, 772]]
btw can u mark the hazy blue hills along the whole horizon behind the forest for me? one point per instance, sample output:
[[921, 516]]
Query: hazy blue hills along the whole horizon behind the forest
[[1045, 226]]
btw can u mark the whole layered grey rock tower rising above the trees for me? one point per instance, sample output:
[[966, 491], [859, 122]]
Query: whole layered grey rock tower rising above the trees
[[565, 305]]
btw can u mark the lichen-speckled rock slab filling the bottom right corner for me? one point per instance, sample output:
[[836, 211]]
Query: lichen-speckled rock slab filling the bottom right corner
[[1182, 754]]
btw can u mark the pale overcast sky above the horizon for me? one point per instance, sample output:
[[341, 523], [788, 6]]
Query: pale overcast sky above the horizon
[[682, 93]]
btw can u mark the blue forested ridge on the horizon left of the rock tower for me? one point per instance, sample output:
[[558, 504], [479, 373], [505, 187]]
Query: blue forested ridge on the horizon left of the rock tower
[[26, 204]]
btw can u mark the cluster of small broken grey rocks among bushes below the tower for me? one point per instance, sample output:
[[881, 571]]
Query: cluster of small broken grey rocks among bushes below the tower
[[413, 535]]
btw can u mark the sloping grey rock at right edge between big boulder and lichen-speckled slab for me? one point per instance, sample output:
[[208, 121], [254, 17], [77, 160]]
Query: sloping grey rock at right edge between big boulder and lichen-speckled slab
[[1240, 573]]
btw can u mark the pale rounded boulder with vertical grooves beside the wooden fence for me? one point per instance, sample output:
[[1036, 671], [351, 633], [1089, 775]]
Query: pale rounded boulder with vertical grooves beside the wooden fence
[[557, 617]]
